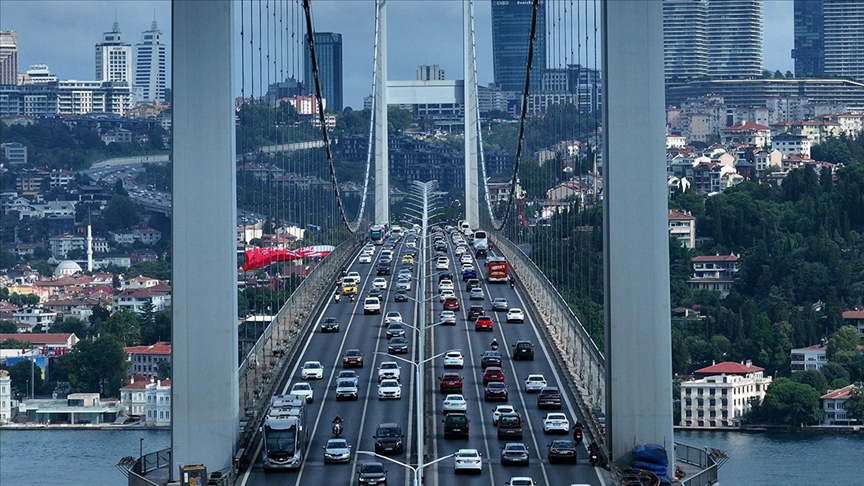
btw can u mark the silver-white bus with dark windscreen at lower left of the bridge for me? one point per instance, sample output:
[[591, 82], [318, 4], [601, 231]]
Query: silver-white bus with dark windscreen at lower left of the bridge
[[285, 433]]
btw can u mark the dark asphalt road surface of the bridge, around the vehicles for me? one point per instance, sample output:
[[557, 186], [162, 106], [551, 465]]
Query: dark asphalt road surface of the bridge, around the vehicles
[[367, 334]]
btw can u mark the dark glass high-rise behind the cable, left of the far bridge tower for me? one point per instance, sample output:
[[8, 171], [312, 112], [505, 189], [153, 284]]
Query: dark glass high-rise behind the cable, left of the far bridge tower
[[328, 51]]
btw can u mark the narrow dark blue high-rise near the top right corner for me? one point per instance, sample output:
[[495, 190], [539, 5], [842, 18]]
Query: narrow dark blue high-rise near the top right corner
[[809, 51]]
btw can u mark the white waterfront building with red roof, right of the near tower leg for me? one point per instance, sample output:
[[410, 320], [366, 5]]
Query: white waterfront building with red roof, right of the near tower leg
[[721, 394]]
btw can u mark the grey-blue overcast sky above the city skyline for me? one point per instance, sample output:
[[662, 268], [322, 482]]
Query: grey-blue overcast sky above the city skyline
[[62, 34]]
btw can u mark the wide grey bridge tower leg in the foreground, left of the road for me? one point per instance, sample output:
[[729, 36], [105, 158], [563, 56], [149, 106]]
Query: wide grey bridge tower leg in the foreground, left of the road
[[205, 387]]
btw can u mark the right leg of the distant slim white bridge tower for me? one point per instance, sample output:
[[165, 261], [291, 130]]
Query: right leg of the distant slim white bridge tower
[[472, 213]]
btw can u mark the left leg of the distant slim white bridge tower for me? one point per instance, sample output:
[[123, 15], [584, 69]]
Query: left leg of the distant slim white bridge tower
[[382, 161]]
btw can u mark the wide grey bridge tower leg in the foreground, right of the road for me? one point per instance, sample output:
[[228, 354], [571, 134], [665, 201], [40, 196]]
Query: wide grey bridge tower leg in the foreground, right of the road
[[637, 317]]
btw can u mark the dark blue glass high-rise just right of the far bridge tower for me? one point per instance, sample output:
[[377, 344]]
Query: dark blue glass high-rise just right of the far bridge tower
[[511, 30]]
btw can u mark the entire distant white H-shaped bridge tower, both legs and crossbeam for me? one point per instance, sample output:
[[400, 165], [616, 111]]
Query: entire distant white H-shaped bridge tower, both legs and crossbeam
[[411, 92]]
